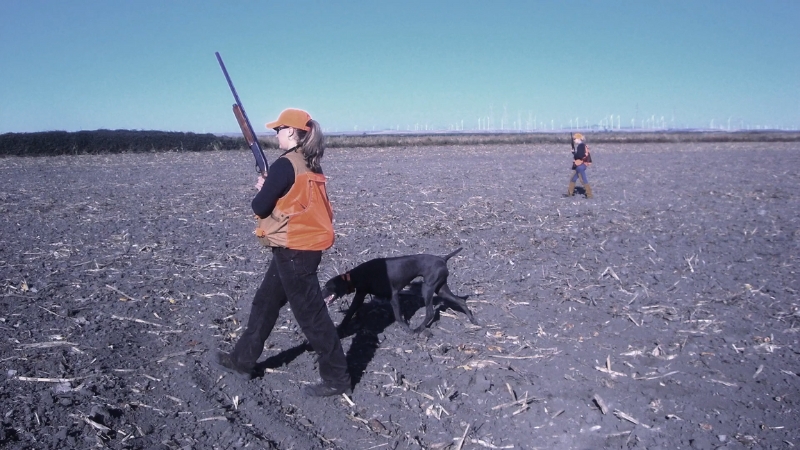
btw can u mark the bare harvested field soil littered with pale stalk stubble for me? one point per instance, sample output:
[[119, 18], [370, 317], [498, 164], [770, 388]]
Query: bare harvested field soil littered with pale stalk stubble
[[663, 313]]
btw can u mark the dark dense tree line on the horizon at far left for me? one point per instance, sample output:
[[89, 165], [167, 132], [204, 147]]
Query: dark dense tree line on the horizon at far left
[[112, 141]]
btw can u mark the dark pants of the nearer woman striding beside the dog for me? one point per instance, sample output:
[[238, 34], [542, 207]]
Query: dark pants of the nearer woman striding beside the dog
[[292, 277]]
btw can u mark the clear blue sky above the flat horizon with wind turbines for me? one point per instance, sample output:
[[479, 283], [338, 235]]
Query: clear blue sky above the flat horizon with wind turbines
[[415, 64]]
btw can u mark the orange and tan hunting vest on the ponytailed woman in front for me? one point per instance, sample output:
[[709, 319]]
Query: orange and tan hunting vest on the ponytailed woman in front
[[303, 218]]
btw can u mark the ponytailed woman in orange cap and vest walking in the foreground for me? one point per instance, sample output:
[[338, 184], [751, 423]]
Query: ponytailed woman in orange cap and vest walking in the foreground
[[296, 221]]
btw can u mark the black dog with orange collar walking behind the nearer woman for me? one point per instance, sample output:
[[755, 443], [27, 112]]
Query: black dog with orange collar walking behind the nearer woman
[[385, 277]]
